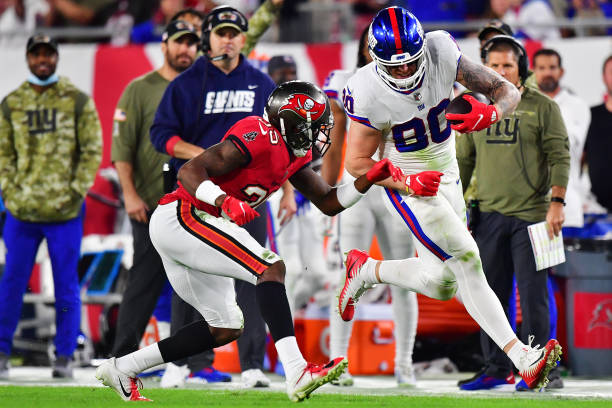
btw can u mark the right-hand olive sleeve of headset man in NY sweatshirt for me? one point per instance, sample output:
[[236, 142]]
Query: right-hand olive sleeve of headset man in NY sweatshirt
[[555, 144]]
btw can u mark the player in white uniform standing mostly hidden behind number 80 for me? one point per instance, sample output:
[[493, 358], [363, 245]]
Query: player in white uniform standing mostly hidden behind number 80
[[356, 228]]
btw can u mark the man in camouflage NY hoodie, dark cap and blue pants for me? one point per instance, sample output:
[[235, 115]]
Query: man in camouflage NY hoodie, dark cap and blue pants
[[50, 150]]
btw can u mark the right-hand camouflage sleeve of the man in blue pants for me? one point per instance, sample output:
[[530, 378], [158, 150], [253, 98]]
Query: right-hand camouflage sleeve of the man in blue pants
[[90, 149]]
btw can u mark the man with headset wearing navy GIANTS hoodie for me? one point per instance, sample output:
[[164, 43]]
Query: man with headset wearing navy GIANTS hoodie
[[197, 108]]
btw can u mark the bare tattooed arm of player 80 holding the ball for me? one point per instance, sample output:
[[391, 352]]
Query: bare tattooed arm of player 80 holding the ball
[[478, 78]]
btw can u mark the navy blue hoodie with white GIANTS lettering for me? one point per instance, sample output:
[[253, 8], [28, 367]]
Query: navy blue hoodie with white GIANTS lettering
[[203, 103]]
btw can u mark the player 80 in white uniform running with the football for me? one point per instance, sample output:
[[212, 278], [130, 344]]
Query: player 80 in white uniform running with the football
[[398, 102]]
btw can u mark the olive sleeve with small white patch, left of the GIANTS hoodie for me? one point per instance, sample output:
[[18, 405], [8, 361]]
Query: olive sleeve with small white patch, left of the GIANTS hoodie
[[126, 125]]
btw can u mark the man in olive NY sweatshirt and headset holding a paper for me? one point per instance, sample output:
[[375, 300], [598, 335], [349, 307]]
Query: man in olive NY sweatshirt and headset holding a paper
[[517, 162]]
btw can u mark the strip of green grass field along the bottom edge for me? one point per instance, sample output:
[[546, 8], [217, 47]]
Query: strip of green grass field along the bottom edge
[[92, 397]]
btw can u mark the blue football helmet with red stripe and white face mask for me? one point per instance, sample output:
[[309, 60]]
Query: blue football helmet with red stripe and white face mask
[[397, 38]]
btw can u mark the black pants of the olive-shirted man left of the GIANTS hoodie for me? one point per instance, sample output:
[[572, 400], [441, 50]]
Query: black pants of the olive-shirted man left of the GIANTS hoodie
[[146, 280]]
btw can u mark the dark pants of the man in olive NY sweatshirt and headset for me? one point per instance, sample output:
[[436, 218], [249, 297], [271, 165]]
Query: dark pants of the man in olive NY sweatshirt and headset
[[506, 252]]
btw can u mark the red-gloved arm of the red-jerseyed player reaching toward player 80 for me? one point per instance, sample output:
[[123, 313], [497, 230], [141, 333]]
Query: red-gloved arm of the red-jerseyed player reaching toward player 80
[[330, 200]]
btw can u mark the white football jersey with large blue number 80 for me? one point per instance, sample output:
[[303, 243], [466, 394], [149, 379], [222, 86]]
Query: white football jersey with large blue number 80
[[414, 128]]
